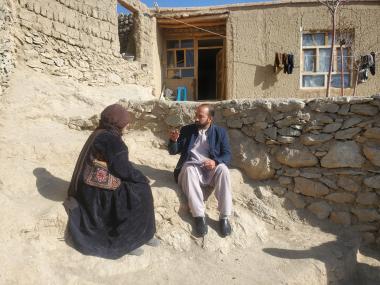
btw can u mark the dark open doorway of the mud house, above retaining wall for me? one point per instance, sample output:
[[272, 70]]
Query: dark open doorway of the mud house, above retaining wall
[[208, 73]]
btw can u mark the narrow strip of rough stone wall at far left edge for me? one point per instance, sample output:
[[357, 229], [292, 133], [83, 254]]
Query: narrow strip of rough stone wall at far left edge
[[7, 50]]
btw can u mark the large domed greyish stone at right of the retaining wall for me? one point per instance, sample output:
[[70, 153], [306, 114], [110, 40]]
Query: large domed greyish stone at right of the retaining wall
[[343, 154]]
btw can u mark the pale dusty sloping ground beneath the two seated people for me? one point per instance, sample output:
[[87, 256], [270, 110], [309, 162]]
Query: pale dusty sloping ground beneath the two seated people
[[272, 243]]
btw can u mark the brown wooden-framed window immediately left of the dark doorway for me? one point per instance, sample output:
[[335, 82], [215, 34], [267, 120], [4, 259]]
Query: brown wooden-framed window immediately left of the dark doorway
[[180, 58]]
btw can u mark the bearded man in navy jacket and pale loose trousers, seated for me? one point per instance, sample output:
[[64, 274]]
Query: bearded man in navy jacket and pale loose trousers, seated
[[205, 154]]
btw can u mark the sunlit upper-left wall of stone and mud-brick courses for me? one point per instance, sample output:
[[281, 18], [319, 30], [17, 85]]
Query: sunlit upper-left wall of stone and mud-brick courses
[[80, 39]]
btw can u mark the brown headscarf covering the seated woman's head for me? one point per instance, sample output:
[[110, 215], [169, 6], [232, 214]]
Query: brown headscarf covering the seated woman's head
[[114, 118]]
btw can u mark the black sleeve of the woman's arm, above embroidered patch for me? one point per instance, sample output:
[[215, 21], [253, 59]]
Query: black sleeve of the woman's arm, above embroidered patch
[[116, 154]]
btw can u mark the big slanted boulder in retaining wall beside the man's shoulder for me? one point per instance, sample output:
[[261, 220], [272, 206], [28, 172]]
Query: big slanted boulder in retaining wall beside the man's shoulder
[[251, 157]]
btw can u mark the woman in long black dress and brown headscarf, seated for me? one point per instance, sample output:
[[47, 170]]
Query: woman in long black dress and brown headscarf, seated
[[110, 203]]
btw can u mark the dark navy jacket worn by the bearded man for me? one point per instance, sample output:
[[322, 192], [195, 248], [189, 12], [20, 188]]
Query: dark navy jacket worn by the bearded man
[[217, 137]]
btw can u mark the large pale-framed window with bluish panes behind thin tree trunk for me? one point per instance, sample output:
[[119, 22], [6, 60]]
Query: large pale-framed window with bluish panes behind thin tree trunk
[[316, 49]]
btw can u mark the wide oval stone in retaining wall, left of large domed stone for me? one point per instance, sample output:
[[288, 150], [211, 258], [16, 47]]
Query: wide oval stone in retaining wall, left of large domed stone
[[296, 158]]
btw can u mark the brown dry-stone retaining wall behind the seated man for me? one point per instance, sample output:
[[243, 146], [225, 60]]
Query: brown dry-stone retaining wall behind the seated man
[[324, 153]]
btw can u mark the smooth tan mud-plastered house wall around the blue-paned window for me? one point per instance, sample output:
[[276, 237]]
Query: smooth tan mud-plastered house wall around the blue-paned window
[[259, 31]]
